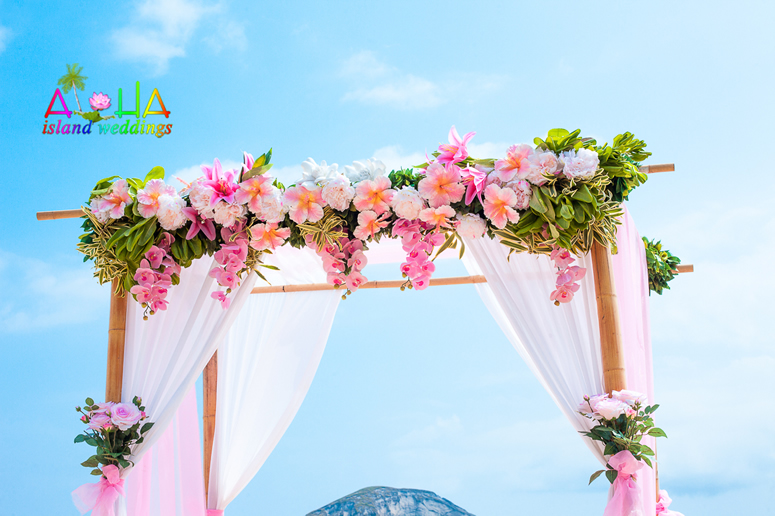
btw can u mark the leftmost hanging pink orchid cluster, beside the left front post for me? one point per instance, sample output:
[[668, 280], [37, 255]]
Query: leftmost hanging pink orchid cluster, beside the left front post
[[154, 276]]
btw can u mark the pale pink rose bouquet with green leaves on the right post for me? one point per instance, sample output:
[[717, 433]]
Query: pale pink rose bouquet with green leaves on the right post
[[622, 418]]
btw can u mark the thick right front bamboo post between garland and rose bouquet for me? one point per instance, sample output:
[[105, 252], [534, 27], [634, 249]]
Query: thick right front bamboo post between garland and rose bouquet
[[611, 345]]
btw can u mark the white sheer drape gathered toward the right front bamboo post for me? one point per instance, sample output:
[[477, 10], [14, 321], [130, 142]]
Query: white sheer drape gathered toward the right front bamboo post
[[560, 344]]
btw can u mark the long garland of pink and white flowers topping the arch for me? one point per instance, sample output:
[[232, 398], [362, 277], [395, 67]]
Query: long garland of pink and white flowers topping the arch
[[555, 198]]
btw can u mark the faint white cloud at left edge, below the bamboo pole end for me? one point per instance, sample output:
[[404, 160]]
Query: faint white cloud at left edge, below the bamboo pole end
[[46, 294]]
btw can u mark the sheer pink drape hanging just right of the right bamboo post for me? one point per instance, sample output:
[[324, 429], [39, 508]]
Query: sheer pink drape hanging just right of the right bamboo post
[[632, 290]]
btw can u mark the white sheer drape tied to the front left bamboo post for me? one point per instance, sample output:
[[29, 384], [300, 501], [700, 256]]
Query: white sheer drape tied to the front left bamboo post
[[164, 355]]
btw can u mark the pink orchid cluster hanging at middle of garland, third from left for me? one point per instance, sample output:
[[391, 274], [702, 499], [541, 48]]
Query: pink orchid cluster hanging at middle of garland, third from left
[[343, 263]]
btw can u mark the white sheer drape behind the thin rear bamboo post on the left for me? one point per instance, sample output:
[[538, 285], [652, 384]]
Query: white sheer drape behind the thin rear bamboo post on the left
[[265, 368]]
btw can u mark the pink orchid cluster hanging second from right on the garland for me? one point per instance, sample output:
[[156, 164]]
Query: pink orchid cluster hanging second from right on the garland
[[418, 240]]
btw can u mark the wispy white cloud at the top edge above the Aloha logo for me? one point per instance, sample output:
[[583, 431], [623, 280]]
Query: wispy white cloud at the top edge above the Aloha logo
[[161, 30]]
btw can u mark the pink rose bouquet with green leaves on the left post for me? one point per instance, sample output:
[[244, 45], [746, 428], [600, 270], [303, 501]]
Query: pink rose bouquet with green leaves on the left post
[[113, 429]]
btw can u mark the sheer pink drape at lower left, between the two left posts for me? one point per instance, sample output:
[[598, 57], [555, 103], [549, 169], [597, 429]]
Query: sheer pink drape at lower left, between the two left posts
[[169, 479]]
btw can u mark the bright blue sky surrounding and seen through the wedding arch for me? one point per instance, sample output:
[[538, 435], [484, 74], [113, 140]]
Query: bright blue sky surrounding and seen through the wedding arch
[[440, 400]]
